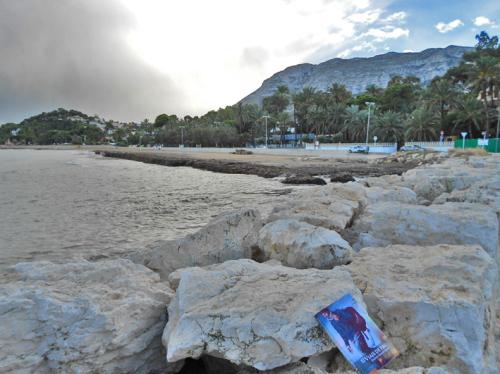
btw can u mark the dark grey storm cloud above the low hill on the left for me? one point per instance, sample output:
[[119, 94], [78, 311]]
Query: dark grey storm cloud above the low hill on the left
[[73, 54]]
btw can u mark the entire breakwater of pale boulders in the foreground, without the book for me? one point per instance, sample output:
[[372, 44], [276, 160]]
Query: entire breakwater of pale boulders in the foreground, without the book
[[419, 250]]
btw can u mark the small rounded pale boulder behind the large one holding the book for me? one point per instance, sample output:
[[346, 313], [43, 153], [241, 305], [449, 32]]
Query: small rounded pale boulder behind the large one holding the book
[[301, 245]]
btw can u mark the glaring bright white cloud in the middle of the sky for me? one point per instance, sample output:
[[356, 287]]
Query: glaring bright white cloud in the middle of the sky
[[223, 50]]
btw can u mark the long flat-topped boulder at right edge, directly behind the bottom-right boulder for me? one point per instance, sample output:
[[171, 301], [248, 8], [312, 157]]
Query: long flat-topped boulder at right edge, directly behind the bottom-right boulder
[[450, 223]]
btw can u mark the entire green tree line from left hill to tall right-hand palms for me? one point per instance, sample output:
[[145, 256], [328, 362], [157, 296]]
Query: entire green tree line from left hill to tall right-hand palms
[[464, 99]]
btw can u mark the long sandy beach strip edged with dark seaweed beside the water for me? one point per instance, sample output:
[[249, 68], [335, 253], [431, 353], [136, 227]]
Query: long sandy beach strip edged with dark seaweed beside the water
[[299, 166]]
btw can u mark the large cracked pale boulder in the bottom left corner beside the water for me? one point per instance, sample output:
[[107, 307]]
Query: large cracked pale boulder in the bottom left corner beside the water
[[81, 317]]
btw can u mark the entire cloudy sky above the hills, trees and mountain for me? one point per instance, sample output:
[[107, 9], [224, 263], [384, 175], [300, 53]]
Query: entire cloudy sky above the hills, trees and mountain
[[133, 59]]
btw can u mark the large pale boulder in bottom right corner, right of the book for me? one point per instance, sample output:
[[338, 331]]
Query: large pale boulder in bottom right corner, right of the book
[[436, 303]]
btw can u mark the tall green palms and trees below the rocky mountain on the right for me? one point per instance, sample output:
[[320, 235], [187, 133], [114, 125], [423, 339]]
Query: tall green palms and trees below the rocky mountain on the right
[[465, 99]]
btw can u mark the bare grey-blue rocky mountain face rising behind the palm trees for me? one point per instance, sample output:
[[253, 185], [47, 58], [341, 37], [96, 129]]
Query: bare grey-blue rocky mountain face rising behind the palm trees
[[357, 73]]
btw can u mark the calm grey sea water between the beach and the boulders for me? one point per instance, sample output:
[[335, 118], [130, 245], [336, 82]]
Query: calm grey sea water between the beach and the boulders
[[58, 205]]
